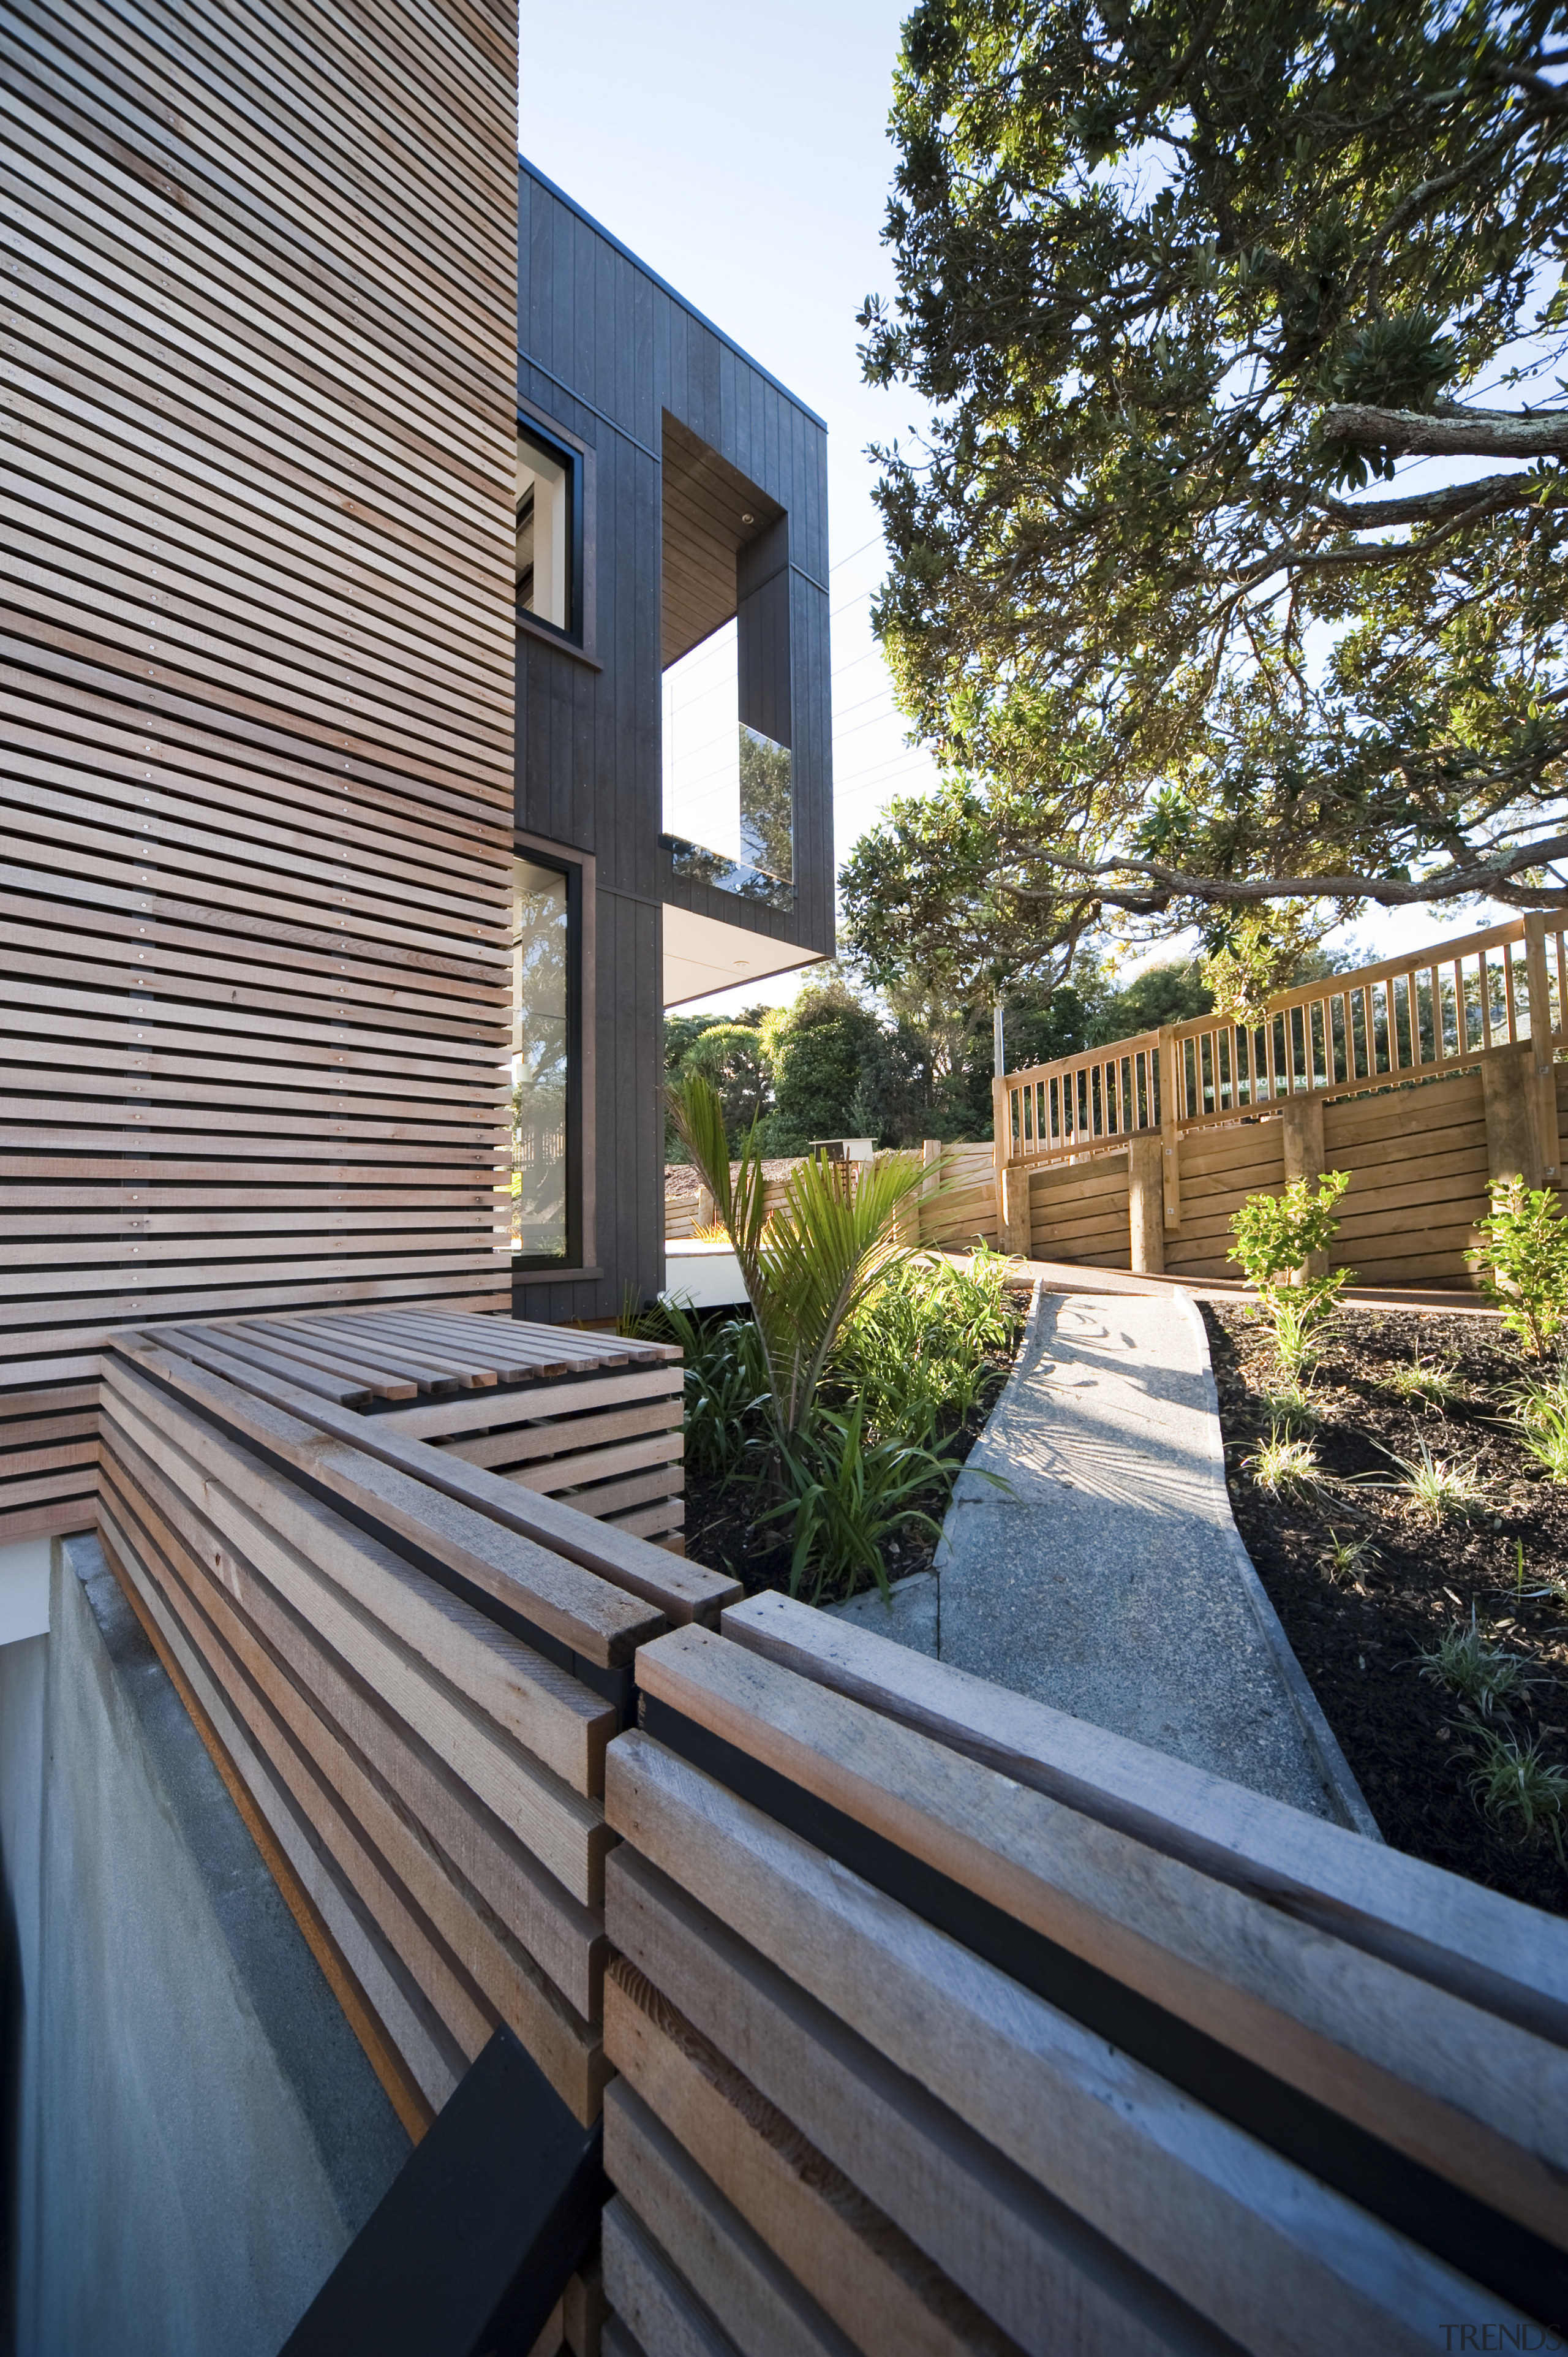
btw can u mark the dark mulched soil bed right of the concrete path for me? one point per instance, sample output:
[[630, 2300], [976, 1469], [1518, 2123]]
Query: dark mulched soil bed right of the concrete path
[[1404, 1734]]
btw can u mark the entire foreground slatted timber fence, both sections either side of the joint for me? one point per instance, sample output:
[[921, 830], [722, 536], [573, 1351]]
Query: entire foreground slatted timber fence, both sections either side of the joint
[[918, 2016]]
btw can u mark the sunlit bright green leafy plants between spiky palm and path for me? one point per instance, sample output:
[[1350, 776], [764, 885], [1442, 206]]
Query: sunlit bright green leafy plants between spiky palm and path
[[918, 1349]]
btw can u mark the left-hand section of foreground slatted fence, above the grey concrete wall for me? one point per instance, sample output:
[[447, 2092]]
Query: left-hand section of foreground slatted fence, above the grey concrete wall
[[409, 1670]]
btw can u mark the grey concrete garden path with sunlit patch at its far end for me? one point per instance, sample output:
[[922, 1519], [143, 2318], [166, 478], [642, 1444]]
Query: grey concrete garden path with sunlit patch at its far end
[[1109, 1580]]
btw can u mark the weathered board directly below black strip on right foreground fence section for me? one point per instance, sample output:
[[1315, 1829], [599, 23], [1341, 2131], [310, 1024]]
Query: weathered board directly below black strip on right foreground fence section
[[1272, 2257]]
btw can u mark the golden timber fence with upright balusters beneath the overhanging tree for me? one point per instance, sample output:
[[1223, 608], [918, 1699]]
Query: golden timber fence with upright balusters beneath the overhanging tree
[[1423, 1076]]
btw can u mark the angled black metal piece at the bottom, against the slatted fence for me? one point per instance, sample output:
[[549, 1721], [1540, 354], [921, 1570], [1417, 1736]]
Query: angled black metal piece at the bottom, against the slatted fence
[[477, 2236]]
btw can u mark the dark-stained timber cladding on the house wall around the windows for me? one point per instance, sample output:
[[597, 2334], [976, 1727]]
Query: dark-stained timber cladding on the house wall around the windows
[[607, 350]]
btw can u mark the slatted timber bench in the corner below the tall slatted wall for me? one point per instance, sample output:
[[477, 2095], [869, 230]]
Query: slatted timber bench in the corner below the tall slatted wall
[[588, 1418]]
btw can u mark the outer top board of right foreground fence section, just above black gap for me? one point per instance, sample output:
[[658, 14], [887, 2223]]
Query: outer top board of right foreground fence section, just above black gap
[[1343, 2026]]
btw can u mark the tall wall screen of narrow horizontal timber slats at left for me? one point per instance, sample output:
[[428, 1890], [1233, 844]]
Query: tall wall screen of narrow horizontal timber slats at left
[[261, 289]]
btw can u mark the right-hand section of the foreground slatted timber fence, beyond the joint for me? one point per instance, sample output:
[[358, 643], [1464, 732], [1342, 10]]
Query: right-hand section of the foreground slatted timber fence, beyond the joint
[[949, 2023]]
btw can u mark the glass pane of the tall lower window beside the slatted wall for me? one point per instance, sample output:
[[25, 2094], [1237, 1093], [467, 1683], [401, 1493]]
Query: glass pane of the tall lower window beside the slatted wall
[[539, 1059]]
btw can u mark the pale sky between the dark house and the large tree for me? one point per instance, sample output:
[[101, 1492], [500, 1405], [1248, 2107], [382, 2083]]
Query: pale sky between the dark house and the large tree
[[742, 152]]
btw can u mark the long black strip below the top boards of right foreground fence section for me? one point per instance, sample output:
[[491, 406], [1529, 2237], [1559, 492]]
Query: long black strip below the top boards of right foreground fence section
[[1409, 2198]]
